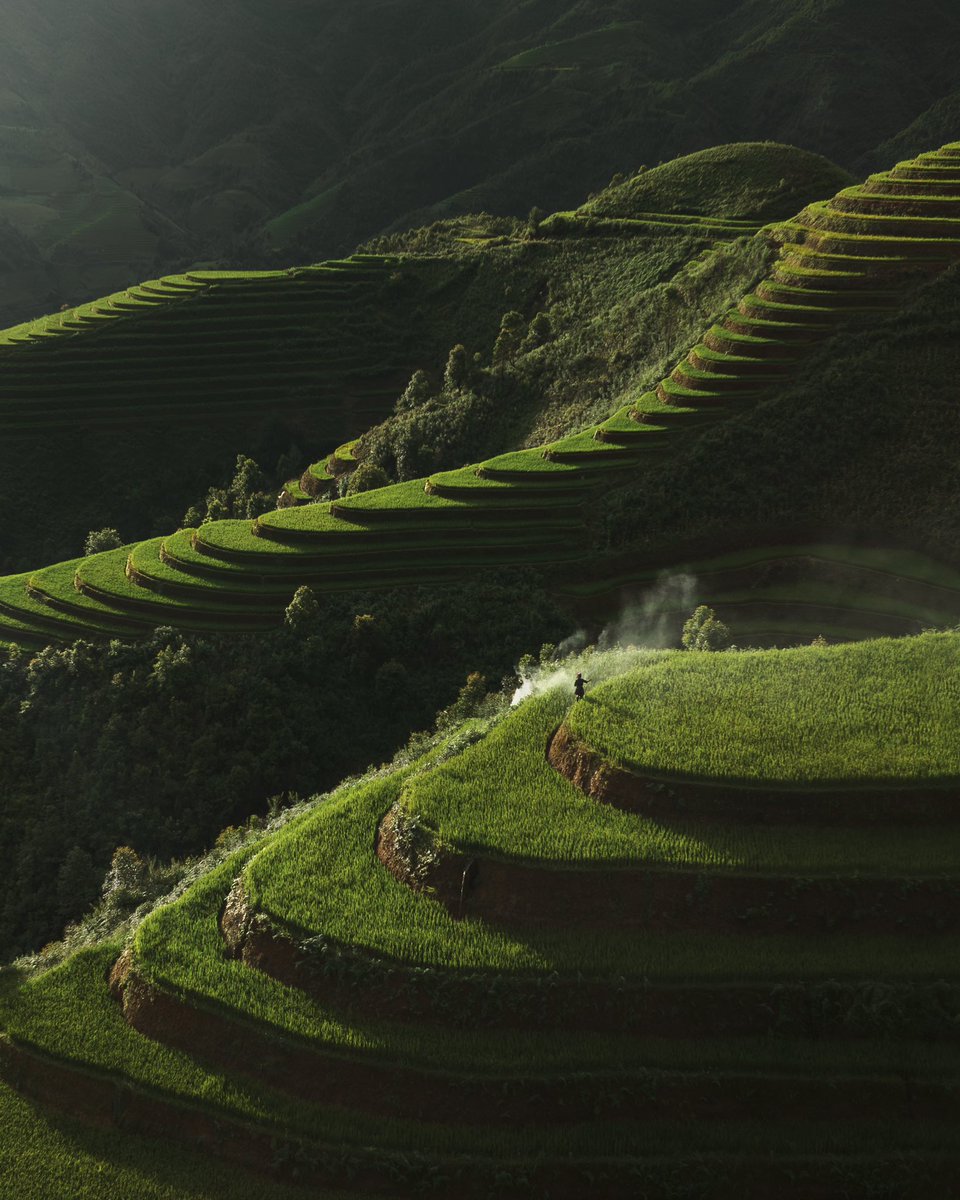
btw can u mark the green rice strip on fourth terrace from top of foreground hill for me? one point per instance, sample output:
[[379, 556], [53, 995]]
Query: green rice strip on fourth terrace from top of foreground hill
[[181, 950]]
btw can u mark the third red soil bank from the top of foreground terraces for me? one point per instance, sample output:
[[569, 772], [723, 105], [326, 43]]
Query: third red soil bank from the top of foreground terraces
[[368, 987]]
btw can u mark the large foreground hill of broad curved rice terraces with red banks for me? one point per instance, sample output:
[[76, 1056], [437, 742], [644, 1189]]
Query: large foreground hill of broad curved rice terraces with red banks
[[473, 956]]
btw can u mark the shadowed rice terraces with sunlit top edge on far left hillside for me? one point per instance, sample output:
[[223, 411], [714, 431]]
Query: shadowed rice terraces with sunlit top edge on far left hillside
[[185, 346]]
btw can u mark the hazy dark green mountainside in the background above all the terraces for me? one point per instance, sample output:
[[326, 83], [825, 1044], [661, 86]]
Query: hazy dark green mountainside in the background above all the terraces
[[172, 137]]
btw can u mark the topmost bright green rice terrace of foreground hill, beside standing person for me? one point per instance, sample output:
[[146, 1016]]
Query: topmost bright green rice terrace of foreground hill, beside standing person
[[879, 711]]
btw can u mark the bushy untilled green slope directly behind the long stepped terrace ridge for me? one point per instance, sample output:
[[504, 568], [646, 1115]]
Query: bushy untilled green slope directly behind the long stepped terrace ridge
[[604, 320]]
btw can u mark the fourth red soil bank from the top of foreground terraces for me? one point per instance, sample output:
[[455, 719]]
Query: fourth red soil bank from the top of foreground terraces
[[368, 1085]]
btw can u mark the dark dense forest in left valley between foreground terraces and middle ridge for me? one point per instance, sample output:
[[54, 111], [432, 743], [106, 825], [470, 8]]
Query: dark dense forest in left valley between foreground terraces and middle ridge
[[184, 736]]
